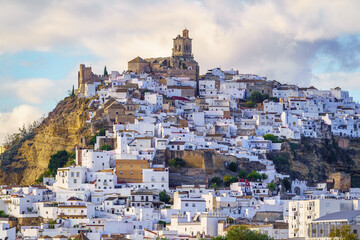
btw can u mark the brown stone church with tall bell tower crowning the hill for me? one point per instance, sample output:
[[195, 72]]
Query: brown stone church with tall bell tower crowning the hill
[[180, 64]]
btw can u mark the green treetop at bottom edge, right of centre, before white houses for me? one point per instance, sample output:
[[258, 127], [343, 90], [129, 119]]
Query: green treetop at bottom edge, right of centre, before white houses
[[238, 232]]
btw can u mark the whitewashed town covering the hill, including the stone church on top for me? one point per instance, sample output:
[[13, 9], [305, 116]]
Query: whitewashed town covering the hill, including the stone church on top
[[173, 154]]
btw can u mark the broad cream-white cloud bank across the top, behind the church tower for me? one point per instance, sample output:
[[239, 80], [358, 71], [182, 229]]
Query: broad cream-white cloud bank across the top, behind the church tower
[[254, 36]]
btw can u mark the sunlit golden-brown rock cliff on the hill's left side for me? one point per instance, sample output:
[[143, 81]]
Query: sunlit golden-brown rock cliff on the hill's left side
[[61, 130]]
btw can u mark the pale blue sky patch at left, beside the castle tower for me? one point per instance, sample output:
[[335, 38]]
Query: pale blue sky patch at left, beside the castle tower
[[52, 65]]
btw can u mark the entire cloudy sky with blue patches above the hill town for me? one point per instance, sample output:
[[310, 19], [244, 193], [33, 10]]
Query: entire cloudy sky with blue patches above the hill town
[[43, 42]]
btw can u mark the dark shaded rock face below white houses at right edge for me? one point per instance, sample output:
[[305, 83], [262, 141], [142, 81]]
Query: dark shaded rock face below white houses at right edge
[[315, 159]]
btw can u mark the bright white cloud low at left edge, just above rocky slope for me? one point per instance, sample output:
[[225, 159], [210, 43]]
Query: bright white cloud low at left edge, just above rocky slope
[[17, 117]]
